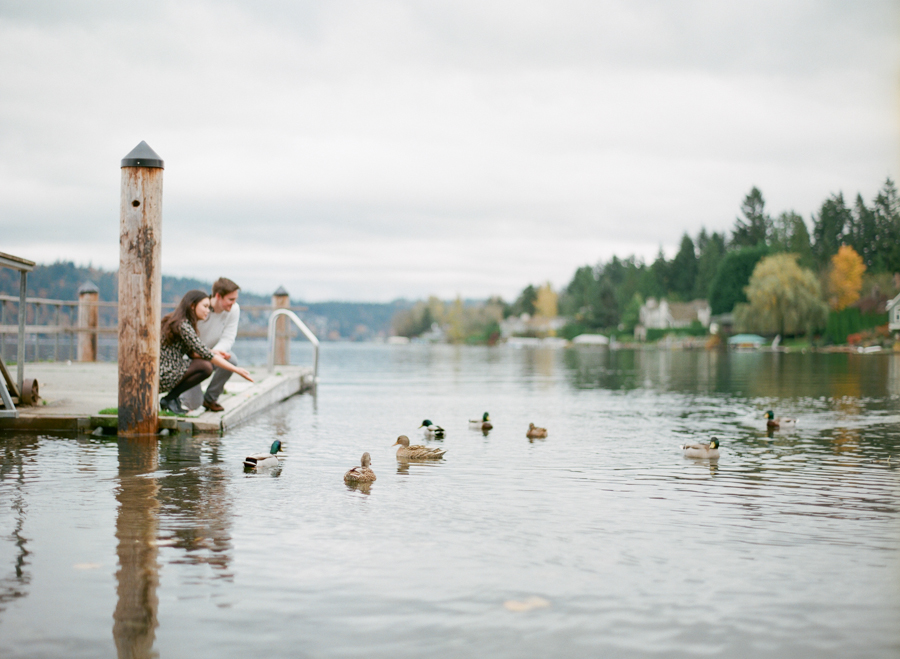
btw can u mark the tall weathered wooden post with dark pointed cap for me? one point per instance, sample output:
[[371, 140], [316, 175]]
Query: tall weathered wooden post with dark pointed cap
[[140, 291]]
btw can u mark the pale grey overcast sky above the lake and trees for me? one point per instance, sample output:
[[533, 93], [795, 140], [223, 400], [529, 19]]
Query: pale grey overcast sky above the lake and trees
[[374, 150]]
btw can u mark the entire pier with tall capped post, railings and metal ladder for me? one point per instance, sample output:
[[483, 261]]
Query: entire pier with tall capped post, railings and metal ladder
[[123, 398]]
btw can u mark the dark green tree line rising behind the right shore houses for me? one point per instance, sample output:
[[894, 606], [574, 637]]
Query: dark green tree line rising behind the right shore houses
[[718, 266]]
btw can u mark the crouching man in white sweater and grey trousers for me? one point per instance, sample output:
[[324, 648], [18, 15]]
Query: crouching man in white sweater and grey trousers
[[217, 333]]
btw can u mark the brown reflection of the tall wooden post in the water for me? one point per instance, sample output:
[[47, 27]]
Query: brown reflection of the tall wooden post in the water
[[135, 617]]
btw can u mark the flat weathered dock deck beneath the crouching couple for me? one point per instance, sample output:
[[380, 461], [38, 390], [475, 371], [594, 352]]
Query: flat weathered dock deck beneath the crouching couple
[[73, 394]]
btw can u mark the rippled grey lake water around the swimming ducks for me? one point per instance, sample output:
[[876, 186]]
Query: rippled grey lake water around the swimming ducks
[[788, 545]]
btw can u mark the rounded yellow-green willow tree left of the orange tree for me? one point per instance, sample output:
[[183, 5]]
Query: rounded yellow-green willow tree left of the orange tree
[[782, 297]]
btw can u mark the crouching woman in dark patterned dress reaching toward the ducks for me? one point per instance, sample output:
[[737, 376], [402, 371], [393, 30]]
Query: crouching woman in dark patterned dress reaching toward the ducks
[[183, 359]]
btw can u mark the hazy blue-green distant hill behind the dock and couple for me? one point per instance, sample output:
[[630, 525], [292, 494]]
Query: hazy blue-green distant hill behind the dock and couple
[[329, 320]]
